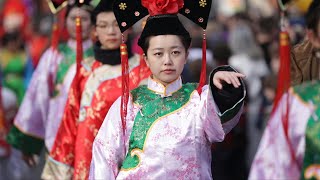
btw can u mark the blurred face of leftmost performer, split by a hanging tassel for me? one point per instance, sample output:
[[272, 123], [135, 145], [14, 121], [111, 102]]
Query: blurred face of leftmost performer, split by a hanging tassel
[[85, 22]]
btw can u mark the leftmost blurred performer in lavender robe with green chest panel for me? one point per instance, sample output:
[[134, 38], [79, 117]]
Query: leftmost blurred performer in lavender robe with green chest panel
[[42, 108]]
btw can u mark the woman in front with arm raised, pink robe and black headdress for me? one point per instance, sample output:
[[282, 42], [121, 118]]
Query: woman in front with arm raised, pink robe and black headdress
[[164, 130]]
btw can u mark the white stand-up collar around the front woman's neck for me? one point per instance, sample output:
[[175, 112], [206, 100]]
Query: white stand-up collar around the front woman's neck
[[164, 91]]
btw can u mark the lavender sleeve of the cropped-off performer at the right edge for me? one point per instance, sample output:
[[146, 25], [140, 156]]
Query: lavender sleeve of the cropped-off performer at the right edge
[[274, 159]]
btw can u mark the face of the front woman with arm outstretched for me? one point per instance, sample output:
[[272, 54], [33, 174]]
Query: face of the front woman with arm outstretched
[[166, 57]]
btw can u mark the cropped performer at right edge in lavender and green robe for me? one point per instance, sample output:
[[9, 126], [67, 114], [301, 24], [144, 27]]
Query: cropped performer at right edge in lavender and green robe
[[289, 147]]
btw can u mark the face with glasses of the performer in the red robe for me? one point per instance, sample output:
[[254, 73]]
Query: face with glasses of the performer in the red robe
[[108, 31]]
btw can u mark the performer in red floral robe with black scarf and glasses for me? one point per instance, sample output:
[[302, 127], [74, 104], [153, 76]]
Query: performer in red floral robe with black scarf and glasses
[[84, 114]]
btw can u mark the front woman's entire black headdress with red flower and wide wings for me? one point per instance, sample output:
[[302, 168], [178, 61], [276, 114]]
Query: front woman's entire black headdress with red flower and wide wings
[[163, 16]]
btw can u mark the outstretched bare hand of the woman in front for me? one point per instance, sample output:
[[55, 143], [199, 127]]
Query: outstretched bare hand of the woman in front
[[228, 77]]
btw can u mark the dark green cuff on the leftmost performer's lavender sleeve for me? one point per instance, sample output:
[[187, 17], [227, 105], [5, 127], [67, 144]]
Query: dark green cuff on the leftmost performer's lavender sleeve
[[26, 143]]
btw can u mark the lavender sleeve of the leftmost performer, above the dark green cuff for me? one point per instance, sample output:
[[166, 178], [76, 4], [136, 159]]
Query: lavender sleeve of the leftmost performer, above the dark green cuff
[[33, 112]]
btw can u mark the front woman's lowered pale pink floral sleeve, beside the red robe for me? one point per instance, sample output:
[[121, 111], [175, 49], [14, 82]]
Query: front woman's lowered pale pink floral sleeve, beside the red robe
[[108, 149]]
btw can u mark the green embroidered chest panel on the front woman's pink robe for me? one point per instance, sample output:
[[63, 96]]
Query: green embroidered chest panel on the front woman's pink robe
[[154, 108]]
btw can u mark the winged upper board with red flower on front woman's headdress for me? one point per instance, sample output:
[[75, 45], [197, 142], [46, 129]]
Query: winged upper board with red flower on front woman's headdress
[[128, 12]]
